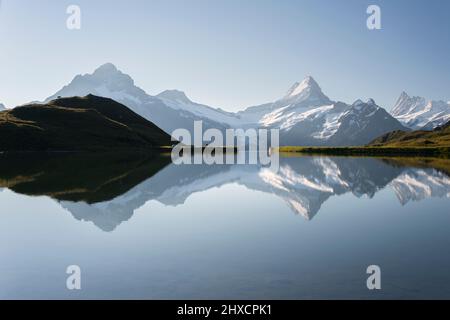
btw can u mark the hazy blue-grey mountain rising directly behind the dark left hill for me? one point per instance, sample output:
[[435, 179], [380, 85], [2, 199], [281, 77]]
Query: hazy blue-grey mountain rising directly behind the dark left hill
[[170, 110]]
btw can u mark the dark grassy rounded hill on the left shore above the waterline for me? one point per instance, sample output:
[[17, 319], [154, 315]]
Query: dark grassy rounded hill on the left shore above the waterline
[[78, 124]]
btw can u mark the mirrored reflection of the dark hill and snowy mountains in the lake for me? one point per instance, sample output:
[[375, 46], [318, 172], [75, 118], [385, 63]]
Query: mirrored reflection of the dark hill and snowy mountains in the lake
[[107, 189]]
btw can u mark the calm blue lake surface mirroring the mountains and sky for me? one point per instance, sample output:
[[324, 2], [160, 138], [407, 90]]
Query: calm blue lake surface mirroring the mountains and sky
[[146, 228]]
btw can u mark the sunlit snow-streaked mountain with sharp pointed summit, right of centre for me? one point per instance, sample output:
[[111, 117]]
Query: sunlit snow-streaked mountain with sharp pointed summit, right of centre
[[307, 117]]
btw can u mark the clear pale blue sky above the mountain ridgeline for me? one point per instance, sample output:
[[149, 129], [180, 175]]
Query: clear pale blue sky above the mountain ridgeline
[[229, 53]]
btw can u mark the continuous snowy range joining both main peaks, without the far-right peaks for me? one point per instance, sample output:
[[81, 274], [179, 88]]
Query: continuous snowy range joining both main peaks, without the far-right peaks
[[305, 115]]
